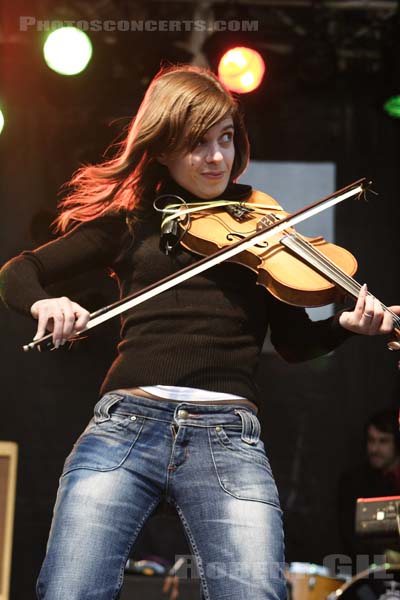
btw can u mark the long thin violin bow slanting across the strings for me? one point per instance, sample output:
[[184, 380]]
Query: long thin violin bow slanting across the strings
[[358, 188]]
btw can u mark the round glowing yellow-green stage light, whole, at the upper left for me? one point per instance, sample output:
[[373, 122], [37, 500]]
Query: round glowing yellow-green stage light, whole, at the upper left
[[67, 50]]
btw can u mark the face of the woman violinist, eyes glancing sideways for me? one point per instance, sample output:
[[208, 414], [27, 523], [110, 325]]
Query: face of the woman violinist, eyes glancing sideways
[[205, 170]]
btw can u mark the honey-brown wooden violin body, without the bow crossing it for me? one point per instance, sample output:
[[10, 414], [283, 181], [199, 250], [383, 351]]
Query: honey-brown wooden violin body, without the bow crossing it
[[297, 270]]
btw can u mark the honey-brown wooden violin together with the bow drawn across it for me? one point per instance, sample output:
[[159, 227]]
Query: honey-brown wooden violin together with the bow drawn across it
[[258, 234]]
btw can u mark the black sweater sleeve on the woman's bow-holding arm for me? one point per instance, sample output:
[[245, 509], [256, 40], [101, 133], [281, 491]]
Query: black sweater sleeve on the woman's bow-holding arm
[[96, 243]]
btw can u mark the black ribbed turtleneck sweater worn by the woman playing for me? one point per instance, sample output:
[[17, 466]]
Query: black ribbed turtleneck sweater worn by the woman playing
[[205, 333]]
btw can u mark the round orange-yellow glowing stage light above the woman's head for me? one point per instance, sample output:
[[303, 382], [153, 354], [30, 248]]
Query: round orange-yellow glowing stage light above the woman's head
[[241, 69]]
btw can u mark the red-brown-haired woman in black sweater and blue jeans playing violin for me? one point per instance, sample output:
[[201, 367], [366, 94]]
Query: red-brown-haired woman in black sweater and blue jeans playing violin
[[176, 417]]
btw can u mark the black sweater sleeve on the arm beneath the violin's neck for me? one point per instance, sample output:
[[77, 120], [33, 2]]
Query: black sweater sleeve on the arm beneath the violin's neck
[[297, 338]]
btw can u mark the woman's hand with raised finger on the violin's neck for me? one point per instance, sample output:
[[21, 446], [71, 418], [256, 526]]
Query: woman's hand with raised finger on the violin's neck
[[368, 316]]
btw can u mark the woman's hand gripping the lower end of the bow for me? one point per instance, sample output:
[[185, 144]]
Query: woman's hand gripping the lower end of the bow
[[61, 316]]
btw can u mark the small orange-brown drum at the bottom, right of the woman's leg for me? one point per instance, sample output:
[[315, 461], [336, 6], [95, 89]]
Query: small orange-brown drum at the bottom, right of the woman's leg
[[307, 581]]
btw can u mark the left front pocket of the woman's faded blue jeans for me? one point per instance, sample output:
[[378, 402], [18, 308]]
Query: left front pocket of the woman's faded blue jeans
[[107, 441]]
